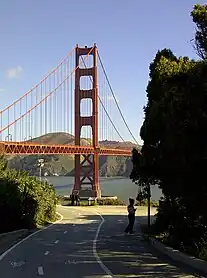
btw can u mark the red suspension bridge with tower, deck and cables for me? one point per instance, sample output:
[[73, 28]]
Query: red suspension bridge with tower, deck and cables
[[75, 97]]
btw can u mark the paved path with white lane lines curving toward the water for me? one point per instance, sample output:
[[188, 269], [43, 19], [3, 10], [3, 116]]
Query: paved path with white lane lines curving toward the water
[[87, 245]]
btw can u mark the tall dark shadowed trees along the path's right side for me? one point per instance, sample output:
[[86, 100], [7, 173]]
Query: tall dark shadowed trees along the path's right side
[[174, 153]]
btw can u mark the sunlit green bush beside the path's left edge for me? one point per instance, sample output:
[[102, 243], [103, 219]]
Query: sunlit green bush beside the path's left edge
[[25, 202]]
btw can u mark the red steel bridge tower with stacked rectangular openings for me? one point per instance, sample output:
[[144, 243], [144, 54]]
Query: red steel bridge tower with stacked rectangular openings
[[86, 169]]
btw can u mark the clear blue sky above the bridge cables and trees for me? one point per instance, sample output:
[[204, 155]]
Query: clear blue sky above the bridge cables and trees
[[36, 35]]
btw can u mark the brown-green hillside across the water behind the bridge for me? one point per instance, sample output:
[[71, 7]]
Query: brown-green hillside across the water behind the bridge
[[64, 164]]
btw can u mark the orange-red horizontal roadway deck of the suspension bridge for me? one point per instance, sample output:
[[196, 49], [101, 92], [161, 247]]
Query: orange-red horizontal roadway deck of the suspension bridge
[[33, 148]]
